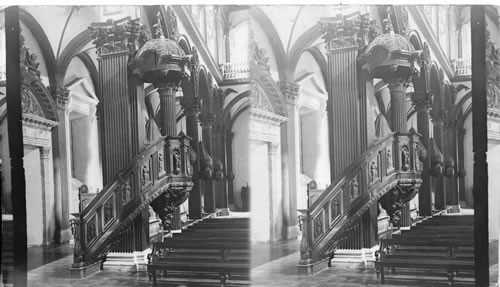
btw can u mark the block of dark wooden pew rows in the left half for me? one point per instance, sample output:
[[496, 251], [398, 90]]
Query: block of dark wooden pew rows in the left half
[[212, 252]]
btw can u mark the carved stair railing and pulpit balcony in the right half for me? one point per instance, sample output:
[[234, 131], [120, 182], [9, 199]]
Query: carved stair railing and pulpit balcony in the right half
[[391, 162]]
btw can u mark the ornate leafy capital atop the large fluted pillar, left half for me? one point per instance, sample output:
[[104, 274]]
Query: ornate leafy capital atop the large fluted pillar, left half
[[123, 35]]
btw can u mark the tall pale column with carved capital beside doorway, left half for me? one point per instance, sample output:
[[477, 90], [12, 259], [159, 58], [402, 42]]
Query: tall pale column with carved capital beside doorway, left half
[[62, 137]]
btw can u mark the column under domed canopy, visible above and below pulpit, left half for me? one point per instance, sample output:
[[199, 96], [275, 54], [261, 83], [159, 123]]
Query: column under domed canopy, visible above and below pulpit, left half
[[168, 127]]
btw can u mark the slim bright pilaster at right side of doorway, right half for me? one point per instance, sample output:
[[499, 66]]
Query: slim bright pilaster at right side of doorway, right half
[[275, 212]]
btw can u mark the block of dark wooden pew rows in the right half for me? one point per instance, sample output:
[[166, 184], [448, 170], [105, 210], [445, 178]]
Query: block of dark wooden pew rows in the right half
[[439, 251]]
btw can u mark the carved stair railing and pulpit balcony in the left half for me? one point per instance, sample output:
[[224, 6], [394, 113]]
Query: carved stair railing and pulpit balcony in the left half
[[163, 167]]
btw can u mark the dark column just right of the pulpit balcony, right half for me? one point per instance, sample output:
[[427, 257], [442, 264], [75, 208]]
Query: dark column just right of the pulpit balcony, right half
[[422, 102]]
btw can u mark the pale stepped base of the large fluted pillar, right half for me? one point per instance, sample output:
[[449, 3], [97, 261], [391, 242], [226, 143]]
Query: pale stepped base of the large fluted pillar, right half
[[355, 258]]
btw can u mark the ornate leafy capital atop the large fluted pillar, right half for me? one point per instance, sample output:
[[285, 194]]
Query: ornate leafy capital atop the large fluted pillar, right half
[[353, 30]]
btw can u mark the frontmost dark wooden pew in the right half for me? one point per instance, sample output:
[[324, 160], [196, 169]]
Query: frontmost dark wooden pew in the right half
[[455, 256]]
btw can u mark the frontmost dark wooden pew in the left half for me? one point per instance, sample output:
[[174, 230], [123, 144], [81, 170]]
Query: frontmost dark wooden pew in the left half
[[219, 260]]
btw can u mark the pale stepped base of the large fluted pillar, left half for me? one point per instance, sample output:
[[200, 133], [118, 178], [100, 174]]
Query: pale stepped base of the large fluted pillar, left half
[[127, 261]]
